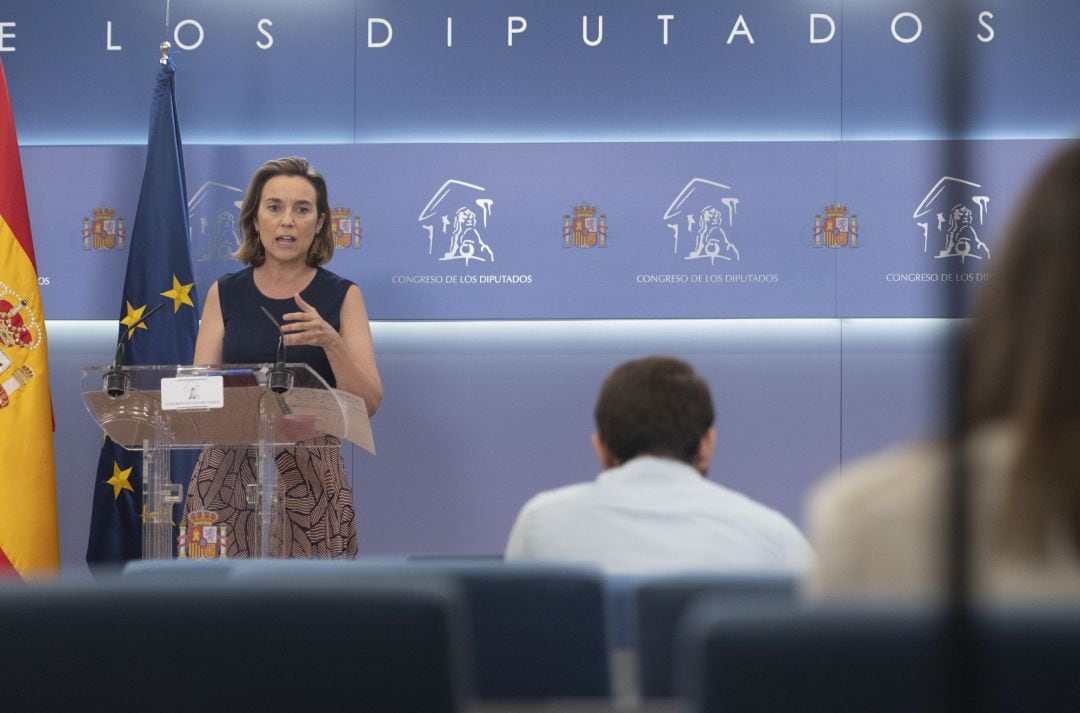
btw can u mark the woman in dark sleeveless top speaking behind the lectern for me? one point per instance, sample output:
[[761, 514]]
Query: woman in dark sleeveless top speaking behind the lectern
[[287, 239]]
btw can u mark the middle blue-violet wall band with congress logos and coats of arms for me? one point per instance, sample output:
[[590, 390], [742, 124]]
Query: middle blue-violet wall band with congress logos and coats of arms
[[654, 251]]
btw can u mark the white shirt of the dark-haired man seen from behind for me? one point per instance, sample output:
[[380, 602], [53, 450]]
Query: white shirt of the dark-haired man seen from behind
[[655, 516]]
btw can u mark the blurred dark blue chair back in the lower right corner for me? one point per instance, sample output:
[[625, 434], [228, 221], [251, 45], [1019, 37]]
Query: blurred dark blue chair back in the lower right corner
[[842, 658]]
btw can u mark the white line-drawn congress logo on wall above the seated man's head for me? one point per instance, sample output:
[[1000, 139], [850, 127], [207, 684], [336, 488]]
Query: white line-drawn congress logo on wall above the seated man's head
[[698, 216]]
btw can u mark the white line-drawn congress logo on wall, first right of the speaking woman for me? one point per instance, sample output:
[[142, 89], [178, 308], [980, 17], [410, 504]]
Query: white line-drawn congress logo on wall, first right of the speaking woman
[[456, 219]]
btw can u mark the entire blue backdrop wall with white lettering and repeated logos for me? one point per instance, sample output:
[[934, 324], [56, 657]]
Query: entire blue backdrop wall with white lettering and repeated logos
[[531, 194]]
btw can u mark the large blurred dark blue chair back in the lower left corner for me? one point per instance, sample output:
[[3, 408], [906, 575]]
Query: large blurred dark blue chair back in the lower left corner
[[263, 649]]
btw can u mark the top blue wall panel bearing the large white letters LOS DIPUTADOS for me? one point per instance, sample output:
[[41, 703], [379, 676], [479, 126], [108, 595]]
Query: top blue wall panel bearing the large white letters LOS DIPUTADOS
[[279, 72]]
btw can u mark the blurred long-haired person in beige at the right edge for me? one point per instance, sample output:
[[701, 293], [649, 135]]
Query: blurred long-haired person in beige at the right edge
[[880, 527]]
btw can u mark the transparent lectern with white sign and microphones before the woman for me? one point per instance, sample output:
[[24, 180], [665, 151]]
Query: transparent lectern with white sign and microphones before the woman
[[262, 407]]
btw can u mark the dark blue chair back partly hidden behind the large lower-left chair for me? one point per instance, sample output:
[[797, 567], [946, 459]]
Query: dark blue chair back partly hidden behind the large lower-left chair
[[533, 631]]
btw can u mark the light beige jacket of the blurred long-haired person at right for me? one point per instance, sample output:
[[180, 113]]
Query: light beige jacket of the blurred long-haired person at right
[[879, 529]]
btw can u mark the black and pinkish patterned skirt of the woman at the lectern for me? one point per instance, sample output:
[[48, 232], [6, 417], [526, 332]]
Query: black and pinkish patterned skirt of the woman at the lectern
[[319, 521]]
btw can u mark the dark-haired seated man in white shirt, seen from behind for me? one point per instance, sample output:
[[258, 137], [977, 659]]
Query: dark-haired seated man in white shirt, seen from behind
[[652, 509]]
